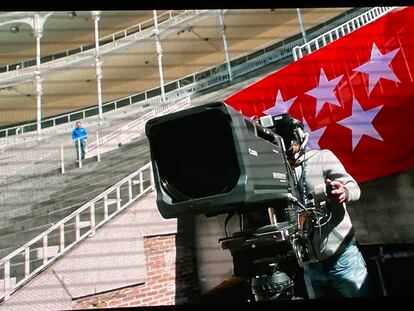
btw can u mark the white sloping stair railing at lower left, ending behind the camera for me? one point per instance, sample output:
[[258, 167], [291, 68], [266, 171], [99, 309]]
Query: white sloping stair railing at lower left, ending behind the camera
[[89, 210]]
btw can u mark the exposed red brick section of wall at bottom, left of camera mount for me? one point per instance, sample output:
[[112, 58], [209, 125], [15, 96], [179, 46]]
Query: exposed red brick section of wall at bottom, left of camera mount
[[171, 278]]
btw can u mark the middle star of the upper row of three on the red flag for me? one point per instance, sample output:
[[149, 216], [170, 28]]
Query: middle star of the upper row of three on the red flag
[[324, 92]]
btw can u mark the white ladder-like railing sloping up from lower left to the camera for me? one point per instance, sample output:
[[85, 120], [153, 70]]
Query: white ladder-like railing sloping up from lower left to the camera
[[28, 260]]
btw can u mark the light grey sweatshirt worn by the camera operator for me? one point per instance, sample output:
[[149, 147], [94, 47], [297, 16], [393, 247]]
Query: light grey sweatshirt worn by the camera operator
[[332, 237]]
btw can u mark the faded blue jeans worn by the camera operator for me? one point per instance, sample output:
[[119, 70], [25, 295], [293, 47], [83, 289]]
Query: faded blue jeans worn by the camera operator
[[345, 275]]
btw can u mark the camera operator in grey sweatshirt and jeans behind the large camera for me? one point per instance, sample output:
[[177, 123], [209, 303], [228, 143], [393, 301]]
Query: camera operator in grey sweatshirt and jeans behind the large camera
[[337, 268]]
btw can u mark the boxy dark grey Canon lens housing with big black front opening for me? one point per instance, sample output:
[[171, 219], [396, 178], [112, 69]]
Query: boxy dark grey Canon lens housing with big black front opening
[[213, 160]]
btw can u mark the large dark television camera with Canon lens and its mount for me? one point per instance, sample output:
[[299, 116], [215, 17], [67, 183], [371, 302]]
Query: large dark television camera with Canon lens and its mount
[[213, 160]]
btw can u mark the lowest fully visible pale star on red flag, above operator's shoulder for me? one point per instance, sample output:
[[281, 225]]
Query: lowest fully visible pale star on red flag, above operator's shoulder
[[360, 123]]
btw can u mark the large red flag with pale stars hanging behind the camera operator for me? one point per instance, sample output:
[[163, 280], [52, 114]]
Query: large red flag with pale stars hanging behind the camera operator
[[355, 96]]
